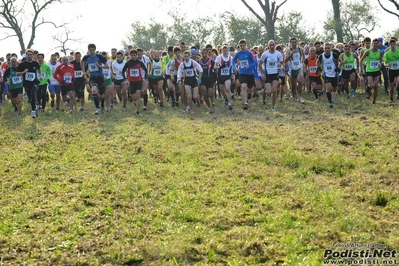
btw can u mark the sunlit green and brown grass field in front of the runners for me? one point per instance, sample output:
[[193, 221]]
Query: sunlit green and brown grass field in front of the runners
[[248, 187]]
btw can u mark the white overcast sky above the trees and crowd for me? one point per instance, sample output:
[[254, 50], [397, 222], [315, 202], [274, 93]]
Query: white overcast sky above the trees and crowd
[[107, 26]]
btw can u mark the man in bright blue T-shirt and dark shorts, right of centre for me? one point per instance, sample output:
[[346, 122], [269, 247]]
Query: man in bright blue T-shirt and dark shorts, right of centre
[[247, 63]]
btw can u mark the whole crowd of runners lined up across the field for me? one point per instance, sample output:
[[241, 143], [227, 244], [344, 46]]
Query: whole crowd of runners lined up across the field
[[191, 77]]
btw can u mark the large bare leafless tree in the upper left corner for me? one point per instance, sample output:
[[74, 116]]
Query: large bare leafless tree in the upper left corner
[[16, 19]]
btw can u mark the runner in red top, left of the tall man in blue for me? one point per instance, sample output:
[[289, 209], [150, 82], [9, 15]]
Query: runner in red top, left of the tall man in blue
[[65, 75]]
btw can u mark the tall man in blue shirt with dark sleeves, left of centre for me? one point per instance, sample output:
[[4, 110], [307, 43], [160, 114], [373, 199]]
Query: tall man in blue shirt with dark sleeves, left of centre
[[95, 63]]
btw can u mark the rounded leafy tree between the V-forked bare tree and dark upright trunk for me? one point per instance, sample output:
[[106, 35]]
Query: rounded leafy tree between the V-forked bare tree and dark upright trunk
[[293, 25]]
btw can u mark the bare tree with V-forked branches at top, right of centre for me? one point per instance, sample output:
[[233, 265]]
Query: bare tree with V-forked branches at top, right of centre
[[269, 17]]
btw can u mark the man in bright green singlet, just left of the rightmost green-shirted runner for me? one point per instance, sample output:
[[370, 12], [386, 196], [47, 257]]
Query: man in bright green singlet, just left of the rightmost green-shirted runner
[[373, 59]]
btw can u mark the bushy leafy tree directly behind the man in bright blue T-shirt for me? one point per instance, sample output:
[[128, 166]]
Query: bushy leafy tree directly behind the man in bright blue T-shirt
[[247, 28]]
